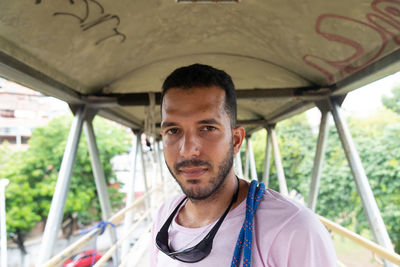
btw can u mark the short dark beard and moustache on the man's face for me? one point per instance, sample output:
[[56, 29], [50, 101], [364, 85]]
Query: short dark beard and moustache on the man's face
[[215, 182]]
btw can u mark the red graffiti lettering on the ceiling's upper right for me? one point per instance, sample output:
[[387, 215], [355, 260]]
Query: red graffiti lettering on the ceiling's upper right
[[385, 22]]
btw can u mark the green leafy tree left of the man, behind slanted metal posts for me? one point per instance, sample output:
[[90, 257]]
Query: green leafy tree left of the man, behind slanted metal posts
[[33, 175]]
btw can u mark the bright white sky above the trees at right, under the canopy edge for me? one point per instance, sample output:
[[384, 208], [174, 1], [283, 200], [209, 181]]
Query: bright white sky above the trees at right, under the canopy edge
[[363, 101]]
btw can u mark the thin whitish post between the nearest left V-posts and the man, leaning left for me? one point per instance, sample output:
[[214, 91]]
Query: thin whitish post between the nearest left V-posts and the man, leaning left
[[130, 194]]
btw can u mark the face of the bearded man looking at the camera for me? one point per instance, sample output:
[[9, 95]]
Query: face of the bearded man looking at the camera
[[198, 140]]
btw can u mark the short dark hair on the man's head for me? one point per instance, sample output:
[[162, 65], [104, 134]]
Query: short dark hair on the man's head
[[198, 75]]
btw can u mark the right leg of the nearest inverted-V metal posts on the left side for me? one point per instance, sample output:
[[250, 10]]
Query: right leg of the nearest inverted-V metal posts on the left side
[[99, 177]]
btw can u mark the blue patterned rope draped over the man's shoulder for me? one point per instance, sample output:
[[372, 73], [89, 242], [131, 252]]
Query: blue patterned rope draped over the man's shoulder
[[244, 240]]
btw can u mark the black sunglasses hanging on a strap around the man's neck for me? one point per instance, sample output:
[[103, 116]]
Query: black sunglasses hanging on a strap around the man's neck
[[199, 251]]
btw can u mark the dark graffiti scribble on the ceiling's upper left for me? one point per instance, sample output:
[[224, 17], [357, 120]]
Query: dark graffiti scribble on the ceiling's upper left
[[99, 17]]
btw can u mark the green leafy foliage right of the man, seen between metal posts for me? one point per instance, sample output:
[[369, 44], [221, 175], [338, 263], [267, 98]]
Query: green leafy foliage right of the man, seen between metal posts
[[378, 142]]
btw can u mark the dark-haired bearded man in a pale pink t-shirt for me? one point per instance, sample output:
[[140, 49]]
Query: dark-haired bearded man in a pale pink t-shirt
[[201, 226]]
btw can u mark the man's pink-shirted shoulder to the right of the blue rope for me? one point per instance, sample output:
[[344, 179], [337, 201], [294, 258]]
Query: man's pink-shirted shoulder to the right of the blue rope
[[297, 234]]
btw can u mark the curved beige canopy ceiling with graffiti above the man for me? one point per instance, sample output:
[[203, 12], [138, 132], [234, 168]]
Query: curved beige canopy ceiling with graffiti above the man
[[283, 55]]
